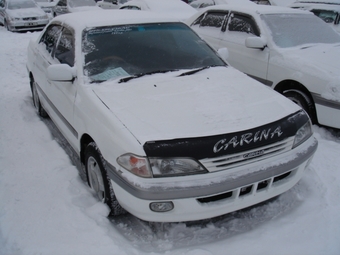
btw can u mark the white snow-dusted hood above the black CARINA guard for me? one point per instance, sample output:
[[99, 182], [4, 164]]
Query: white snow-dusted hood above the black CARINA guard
[[218, 100]]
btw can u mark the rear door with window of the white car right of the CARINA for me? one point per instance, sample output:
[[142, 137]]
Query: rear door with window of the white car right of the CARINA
[[209, 26]]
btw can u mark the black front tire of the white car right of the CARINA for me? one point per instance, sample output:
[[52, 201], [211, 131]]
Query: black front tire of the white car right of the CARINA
[[303, 100]]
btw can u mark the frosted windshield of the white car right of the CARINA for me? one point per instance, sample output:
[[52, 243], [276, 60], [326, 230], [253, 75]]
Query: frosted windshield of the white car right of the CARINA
[[289, 30]]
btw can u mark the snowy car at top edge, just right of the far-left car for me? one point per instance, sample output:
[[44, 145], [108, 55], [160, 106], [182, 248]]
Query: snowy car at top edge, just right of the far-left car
[[69, 6]]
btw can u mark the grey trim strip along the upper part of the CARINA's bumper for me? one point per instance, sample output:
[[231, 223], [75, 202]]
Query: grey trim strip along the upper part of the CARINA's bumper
[[206, 187]]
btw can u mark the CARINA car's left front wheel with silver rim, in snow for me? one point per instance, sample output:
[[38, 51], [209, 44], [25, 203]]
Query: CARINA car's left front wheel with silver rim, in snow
[[98, 180]]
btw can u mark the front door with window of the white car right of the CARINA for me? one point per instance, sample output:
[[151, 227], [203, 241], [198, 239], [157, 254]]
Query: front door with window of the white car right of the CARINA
[[253, 62]]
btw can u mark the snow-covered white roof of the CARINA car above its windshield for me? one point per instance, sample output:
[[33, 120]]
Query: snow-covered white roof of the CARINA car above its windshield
[[81, 20]]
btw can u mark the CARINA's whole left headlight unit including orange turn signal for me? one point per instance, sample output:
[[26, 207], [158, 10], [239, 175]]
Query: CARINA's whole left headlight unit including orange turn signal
[[159, 167]]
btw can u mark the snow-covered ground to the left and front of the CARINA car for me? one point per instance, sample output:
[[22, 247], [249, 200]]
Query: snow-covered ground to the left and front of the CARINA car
[[45, 207]]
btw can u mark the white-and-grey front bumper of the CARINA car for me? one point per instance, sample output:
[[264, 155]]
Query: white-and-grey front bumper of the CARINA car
[[209, 195]]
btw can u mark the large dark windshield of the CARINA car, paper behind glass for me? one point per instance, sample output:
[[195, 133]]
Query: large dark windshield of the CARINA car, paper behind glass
[[118, 51]]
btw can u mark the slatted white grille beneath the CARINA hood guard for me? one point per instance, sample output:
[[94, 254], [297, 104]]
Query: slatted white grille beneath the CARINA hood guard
[[246, 157]]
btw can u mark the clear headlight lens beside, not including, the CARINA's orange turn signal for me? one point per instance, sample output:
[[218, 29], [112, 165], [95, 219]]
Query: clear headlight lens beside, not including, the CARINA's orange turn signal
[[163, 167]]
